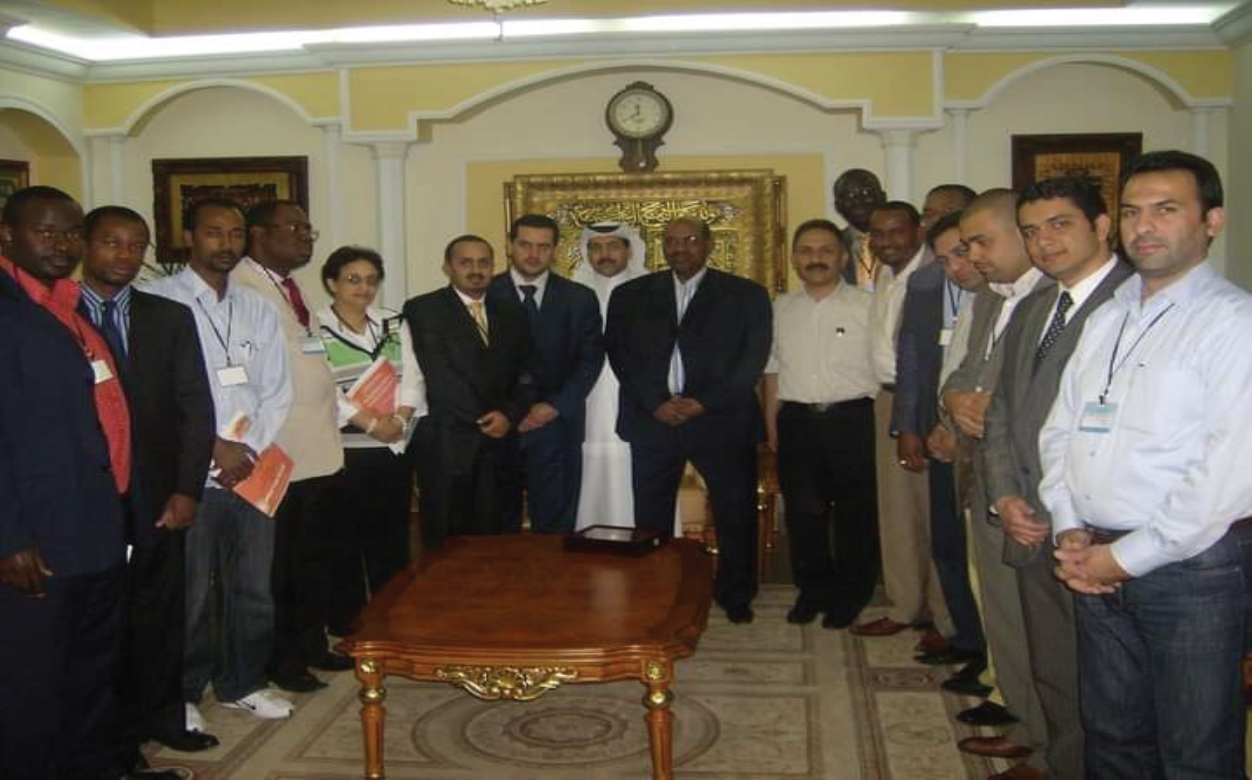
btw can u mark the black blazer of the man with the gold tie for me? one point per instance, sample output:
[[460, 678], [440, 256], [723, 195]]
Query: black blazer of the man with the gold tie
[[466, 379]]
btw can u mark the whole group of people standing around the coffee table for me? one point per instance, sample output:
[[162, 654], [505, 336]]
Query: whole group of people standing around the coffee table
[[1034, 440]]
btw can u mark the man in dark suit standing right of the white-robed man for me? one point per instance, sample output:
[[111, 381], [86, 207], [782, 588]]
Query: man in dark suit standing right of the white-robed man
[[689, 346]]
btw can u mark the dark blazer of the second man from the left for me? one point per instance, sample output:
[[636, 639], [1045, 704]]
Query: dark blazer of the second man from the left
[[171, 408]]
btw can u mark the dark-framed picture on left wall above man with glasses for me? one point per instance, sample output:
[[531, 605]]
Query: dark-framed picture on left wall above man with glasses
[[246, 181]]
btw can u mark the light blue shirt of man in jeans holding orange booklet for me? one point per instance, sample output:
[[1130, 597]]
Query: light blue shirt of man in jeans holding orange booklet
[[239, 331]]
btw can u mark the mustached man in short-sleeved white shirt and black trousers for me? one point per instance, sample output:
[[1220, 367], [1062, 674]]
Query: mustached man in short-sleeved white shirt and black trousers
[[819, 418]]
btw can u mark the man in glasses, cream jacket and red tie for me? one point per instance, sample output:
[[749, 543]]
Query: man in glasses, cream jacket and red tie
[[281, 241]]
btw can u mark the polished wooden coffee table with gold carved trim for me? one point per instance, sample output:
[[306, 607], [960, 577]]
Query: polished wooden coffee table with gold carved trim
[[516, 617]]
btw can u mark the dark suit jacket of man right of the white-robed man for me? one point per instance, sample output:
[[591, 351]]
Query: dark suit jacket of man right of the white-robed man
[[726, 339]]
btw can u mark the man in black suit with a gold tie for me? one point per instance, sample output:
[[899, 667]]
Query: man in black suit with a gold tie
[[476, 354]]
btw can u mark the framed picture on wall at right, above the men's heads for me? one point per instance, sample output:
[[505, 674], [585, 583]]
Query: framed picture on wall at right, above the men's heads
[[1100, 157]]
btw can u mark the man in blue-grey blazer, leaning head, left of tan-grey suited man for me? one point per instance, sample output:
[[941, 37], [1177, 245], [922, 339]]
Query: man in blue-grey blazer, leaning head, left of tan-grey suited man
[[931, 306]]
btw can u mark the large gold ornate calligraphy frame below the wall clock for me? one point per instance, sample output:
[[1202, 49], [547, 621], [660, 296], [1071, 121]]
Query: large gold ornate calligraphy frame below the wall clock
[[747, 211]]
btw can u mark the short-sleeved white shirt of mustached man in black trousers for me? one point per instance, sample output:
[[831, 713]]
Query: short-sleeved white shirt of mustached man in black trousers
[[822, 347]]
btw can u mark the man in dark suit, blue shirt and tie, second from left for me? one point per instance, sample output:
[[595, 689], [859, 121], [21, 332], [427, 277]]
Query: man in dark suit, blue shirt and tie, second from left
[[160, 356]]
